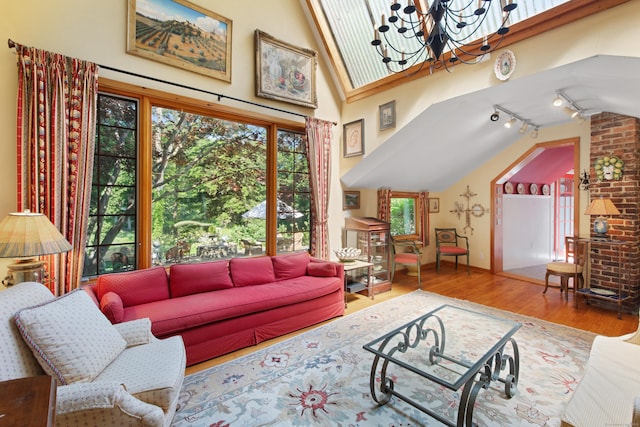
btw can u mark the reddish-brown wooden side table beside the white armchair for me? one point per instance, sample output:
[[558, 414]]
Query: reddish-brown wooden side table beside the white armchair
[[28, 401]]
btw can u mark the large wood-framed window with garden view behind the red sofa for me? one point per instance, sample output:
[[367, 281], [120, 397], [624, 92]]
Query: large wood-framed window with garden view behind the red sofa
[[174, 183]]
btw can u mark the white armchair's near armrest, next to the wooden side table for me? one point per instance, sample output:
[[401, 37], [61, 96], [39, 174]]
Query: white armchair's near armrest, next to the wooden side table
[[103, 404]]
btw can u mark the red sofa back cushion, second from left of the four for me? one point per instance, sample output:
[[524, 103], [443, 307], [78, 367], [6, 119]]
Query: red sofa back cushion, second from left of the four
[[188, 279]]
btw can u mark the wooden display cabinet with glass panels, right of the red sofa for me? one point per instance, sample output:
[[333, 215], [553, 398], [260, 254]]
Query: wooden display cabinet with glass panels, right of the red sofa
[[371, 236]]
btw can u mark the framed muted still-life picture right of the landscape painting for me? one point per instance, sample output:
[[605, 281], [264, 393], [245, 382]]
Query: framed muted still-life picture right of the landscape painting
[[285, 72]]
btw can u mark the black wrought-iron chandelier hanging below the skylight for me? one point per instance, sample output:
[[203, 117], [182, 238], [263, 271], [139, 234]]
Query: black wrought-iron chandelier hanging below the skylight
[[423, 36]]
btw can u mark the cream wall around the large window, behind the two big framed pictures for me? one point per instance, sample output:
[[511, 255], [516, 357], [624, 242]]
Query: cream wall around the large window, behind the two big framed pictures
[[96, 30]]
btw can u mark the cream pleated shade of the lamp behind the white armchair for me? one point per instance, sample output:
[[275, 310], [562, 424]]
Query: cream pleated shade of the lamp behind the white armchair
[[28, 234]]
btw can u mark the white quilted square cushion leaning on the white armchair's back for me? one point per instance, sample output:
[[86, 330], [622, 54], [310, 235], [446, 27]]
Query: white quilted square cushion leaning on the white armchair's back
[[70, 337]]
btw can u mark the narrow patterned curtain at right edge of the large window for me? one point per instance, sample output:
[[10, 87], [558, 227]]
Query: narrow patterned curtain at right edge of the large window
[[319, 134]]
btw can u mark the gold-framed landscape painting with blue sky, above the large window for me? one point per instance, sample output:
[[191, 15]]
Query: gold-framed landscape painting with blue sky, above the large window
[[181, 34]]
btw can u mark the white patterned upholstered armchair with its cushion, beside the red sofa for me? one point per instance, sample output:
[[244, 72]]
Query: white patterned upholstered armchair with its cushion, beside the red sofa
[[106, 374]]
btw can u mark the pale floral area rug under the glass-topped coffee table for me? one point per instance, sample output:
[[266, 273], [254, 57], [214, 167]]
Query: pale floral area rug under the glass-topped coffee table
[[321, 377]]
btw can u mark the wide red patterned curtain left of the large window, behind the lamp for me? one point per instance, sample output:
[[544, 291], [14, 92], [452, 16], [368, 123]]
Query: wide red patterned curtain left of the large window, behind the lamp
[[57, 98]]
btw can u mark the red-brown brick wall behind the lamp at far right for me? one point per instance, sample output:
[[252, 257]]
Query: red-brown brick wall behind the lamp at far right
[[614, 134]]
